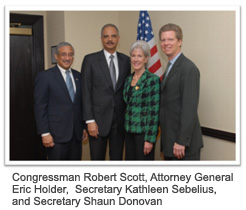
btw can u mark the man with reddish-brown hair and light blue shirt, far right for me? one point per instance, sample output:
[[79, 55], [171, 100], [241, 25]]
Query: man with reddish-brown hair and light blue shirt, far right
[[181, 136]]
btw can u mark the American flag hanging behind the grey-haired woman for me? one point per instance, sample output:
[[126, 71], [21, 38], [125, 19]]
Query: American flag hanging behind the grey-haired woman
[[145, 33]]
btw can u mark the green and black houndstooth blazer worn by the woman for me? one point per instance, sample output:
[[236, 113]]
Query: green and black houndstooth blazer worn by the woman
[[142, 112]]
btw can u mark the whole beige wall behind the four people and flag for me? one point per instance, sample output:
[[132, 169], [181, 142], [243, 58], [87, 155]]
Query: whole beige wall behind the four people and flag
[[209, 41]]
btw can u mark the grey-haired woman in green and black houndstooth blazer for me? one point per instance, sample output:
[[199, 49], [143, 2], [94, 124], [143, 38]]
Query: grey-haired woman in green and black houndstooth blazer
[[141, 94]]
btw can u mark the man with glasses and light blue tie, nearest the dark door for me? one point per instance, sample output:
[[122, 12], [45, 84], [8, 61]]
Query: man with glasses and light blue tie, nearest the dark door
[[58, 107]]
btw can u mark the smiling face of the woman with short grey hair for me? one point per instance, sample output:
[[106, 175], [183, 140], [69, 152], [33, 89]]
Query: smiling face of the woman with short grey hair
[[138, 59]]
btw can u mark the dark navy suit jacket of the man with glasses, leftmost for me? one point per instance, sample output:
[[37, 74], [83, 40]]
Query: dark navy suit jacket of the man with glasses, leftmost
[[54, 110]]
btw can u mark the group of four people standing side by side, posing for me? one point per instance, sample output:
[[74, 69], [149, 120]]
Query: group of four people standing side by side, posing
[[110, 104]]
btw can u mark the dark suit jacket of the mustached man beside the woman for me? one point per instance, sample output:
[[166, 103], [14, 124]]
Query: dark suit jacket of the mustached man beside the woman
[[99, 98]]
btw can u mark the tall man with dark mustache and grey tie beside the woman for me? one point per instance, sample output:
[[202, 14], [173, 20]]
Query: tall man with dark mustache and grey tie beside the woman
[[103, 80]]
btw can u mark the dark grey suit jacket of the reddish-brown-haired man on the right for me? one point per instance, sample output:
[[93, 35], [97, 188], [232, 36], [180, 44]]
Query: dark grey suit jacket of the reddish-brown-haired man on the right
[[178, 109]]
